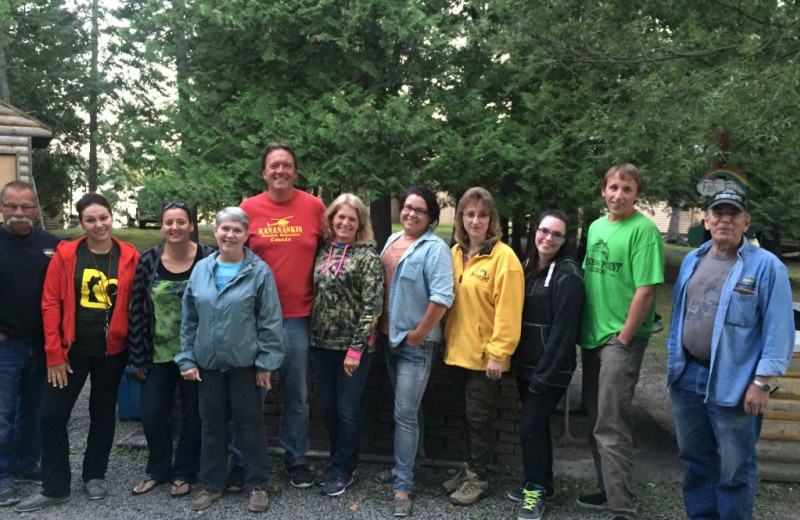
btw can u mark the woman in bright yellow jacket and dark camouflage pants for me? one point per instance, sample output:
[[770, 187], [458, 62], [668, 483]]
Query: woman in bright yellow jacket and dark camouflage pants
[[482, 329]]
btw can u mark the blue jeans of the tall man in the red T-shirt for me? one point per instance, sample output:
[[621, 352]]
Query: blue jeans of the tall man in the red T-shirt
[[294, 391]]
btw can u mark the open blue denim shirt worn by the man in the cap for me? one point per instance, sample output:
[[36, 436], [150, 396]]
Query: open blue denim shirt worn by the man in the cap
[[754, 327]]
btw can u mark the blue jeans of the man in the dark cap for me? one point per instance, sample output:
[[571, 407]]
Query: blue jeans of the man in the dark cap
[[718, 448]]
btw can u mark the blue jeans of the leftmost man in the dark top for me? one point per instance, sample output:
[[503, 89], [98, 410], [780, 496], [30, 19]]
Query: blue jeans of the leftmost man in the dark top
[[22, 371]]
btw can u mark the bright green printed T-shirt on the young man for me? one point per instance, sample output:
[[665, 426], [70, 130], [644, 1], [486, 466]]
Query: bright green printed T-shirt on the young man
[[620, 257]]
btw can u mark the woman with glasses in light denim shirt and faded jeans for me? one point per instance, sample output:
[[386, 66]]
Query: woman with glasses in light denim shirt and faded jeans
[[419, 289]]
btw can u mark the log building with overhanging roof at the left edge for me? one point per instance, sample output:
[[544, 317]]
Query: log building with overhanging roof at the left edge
[[19, 135]]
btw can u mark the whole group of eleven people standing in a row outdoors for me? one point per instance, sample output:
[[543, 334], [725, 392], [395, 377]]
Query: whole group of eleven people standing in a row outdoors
[[292, 280]]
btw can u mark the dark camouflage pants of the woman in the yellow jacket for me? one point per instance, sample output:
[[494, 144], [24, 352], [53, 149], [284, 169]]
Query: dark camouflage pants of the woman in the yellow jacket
[[479, 393]]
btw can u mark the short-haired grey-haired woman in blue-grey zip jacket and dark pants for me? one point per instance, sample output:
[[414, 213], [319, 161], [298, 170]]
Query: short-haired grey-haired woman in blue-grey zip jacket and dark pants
[[231, 339]]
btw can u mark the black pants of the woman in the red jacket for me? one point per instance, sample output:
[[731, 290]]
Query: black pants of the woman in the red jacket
[[56, 408]]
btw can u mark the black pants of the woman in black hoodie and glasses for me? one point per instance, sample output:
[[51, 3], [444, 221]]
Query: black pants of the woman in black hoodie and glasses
[[536, 440]]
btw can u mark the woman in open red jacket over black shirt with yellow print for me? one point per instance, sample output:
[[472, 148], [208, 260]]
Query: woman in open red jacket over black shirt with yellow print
[[85, 303]]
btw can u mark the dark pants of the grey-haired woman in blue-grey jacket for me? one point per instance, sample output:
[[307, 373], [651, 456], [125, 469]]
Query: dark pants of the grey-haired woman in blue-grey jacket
[[226, 395]]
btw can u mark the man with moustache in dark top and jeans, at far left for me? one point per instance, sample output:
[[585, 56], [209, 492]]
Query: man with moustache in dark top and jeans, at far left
[[25, 253]]
